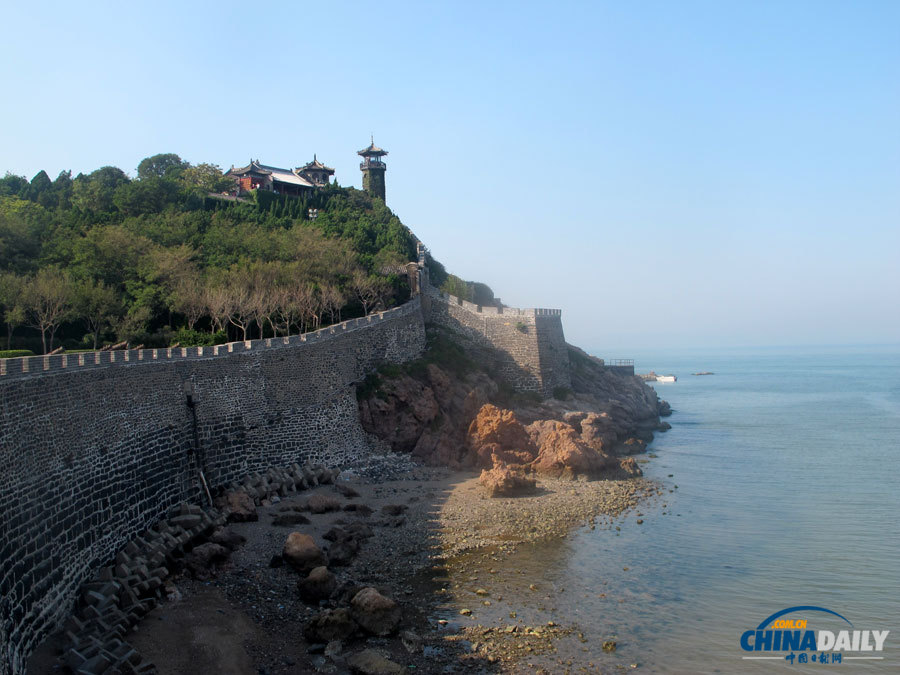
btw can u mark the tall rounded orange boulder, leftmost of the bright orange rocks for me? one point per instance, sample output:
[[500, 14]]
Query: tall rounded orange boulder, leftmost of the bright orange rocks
[[497, 435]]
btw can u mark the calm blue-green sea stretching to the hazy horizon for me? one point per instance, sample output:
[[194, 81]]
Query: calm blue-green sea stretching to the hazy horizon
[[780, 482]]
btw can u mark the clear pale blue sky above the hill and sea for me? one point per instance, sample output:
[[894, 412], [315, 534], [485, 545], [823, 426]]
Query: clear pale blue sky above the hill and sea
[[669, 174]]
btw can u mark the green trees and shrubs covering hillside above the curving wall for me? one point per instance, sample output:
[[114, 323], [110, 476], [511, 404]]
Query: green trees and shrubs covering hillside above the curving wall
[[102, 258]]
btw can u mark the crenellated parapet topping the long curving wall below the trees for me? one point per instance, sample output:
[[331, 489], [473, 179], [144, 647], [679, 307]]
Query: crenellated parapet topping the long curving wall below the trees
[[30, 366]]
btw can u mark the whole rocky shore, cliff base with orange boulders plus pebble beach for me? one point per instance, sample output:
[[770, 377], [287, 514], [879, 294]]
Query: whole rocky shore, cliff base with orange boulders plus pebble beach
[[395, 563]]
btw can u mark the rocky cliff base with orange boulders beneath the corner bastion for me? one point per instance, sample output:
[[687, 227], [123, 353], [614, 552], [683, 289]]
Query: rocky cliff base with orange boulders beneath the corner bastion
[[452, 409]]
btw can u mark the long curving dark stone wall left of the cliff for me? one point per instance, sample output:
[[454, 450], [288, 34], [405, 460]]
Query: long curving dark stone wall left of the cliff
[[97, 447]]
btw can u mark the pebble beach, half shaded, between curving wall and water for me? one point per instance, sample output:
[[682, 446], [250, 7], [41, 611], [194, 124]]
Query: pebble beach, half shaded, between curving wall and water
[[436, 542]]
